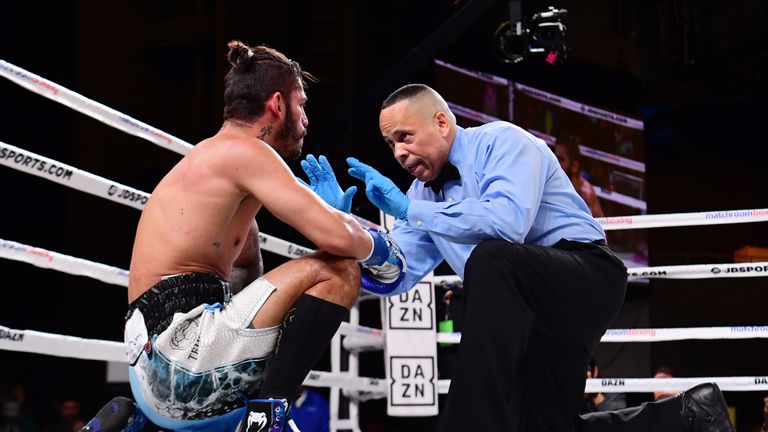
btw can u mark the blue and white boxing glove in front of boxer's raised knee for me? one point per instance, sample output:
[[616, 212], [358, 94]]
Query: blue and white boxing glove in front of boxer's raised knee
[[384, 270]]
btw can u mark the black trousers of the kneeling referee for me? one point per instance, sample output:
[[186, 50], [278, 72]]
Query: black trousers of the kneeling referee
[[533, 317]]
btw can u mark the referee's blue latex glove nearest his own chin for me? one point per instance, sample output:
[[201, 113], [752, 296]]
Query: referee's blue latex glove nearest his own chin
[[380, 190]]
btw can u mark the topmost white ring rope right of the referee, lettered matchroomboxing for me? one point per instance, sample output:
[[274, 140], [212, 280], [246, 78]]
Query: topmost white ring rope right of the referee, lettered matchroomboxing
[[684, 219]]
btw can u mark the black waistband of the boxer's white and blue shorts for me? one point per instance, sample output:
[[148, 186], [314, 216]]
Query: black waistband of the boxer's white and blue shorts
[[178, 294]]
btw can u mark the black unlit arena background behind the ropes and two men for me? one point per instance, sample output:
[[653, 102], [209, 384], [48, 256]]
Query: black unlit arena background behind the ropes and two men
[[695, 71]]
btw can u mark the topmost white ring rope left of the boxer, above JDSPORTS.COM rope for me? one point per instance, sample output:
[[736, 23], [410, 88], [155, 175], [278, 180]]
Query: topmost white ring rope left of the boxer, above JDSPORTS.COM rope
[[91, 108]]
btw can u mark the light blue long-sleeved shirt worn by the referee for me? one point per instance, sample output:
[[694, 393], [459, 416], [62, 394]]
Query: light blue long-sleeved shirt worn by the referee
[[511, 188]]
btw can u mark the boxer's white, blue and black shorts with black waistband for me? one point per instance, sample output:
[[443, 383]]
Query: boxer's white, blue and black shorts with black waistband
[[202, 360]]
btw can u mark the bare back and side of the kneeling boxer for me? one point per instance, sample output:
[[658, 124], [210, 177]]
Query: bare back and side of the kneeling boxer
[[198, 218]]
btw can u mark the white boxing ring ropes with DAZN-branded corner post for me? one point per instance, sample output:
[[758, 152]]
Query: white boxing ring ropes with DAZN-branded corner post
[[347, 388]]
